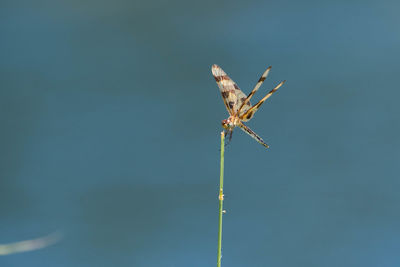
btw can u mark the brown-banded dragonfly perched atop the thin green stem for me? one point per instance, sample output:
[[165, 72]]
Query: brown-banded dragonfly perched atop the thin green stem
[[238, 104]]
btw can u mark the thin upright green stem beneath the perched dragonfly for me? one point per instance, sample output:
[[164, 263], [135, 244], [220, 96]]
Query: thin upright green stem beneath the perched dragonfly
[[221, 198]]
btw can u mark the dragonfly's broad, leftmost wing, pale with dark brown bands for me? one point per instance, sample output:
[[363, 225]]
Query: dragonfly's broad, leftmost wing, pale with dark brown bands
[[231, 94]]
